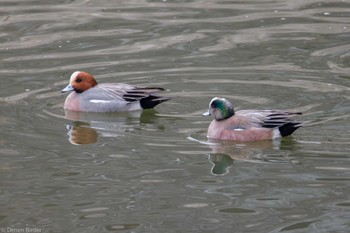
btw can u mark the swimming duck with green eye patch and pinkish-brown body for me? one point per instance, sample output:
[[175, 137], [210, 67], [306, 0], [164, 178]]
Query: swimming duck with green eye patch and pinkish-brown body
[[248, 125]]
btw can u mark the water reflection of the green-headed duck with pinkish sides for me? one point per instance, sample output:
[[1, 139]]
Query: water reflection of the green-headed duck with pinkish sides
[[225, 153]]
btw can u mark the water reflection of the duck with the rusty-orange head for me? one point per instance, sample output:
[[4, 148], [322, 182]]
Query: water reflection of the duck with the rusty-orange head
[[85, 127]]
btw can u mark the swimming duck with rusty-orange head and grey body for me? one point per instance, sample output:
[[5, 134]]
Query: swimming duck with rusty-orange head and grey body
[[88, 96]]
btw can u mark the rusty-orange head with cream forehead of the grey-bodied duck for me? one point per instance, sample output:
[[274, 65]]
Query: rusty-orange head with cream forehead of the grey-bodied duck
[[79, 82]]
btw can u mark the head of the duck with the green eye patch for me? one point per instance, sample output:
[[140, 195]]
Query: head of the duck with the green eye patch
[[220, 108]]
